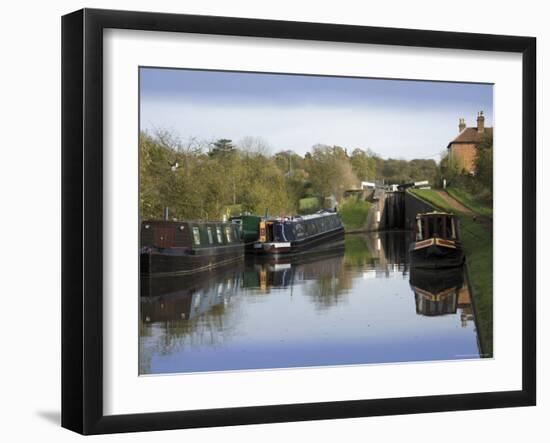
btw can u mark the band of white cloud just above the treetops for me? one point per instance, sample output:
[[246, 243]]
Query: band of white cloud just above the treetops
[[399, 133]]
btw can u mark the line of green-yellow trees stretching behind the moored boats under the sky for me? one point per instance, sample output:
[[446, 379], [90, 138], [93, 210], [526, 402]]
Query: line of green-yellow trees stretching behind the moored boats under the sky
[[199, 179]]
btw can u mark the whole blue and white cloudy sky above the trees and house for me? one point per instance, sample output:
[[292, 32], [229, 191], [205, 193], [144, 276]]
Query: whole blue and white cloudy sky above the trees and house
[[394, 118]]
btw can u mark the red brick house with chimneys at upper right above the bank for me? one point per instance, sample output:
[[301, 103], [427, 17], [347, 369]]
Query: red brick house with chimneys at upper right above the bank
[[462, 150]]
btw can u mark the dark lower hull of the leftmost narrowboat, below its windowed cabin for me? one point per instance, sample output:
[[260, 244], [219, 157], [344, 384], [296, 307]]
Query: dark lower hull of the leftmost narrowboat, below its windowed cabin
[[184, 261]]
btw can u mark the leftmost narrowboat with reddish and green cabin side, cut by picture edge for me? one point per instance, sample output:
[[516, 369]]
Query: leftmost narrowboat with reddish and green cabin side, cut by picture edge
[[185, 247]]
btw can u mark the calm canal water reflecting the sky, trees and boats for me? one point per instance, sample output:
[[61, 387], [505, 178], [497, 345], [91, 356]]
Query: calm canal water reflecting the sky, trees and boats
[[357, 304]]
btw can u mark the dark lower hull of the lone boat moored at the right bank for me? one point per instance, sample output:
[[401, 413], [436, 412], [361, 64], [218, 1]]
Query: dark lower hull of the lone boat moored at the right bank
[[436, 253]]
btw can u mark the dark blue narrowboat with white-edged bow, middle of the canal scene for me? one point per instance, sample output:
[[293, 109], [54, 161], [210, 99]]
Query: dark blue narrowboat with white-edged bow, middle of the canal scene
[[295, 235]]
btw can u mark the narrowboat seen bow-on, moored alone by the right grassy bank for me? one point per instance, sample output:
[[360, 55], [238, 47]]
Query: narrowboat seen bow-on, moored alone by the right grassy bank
[[437, 244]]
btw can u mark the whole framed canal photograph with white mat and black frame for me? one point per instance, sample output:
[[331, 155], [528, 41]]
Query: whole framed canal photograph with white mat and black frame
[[268, 221]]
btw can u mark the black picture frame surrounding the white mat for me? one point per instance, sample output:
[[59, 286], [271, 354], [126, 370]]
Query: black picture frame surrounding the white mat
[[82, 218]]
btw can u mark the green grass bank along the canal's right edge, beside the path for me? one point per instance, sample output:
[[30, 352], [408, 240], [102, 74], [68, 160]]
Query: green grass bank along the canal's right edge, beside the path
[[477, 239]]
